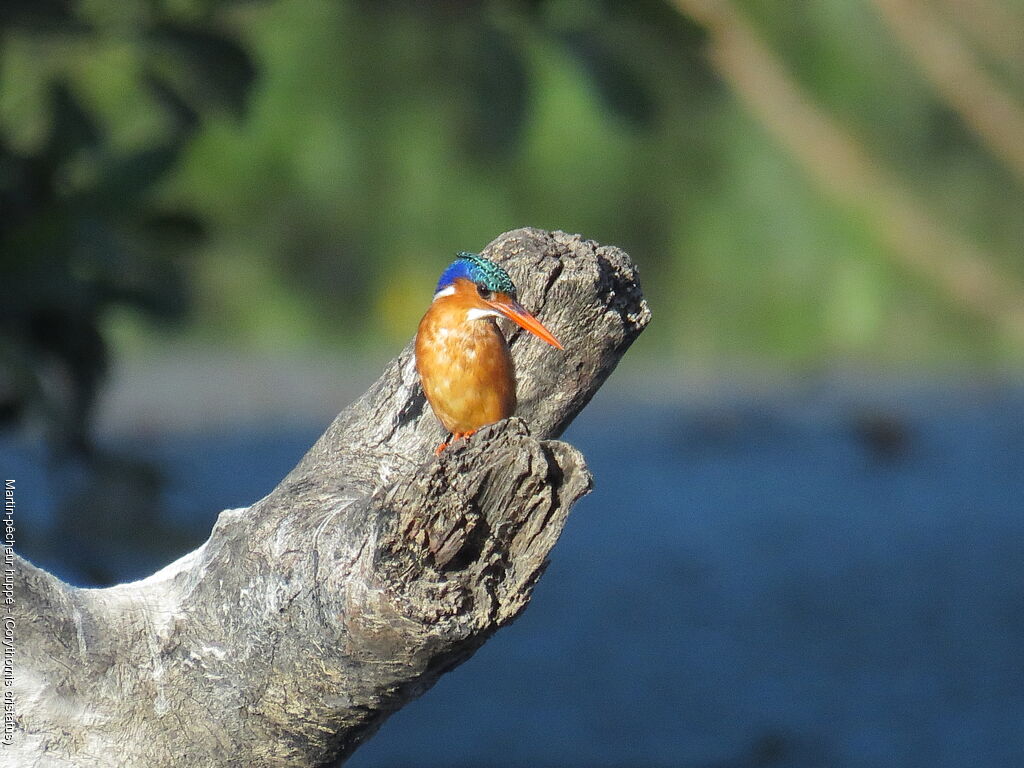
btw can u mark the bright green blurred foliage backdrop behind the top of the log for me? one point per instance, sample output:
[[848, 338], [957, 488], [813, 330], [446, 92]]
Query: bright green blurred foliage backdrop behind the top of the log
[[385, 137]]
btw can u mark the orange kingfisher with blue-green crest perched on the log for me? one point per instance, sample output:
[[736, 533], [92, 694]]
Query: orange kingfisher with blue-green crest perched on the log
[[462, 356]]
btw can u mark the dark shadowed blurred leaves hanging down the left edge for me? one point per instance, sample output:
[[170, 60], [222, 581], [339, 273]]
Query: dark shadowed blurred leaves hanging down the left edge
[[98, 105]]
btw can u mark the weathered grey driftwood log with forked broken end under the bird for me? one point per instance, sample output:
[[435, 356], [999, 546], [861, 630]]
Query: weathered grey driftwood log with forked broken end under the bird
[[371, 571]]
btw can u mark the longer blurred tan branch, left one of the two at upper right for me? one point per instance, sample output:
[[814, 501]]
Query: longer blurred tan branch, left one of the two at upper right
[[835, 160]]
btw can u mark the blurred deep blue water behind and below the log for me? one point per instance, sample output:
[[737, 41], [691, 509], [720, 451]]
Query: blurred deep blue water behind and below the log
[[812, 578]]
